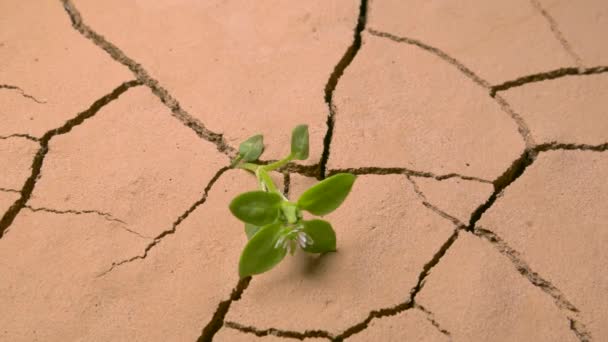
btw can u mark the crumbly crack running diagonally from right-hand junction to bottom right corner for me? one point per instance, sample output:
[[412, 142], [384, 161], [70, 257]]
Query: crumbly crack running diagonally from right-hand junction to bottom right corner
[[544, 285]]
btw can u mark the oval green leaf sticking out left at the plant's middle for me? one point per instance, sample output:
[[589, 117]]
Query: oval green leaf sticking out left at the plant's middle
[[256, 207]]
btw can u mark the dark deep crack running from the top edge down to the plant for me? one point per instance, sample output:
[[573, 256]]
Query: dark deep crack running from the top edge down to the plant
[[332, 82]]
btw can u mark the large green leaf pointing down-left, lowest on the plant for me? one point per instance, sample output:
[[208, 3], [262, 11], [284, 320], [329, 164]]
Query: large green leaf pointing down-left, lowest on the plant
[[260, 255]]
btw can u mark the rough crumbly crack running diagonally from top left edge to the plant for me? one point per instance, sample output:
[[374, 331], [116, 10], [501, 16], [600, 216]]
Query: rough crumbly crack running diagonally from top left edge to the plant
[[144, 77]]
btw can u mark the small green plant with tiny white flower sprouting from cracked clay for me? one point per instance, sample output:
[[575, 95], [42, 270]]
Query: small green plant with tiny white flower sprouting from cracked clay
[[274, 225]]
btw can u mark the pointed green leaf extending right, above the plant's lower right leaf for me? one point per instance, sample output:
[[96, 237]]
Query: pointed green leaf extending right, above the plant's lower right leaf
[[327, 195]]
